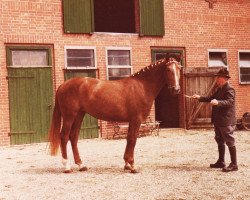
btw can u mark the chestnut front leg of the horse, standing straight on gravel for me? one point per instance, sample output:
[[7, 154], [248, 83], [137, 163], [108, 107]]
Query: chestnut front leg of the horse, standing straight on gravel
[[131, 142]]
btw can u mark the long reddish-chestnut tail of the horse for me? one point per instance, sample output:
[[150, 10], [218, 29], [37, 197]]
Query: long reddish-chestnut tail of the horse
[[54, 132]]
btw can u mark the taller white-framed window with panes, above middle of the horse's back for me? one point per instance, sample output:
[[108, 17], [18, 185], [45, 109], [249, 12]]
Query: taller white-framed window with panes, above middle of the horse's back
[[118, 63]]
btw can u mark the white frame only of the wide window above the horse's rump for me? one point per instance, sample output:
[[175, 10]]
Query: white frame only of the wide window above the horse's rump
[[79, 47]]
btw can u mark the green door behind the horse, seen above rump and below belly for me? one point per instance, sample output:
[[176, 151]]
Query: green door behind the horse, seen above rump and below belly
[[89, 127]]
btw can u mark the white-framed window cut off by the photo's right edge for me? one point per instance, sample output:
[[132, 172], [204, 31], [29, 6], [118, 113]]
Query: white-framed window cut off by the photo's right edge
[[244, 67]]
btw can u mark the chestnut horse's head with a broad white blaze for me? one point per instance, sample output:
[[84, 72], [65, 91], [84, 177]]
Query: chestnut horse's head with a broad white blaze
[[173, 69]]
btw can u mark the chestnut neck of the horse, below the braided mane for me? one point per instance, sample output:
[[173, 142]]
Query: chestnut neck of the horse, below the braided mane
[[153, 79]]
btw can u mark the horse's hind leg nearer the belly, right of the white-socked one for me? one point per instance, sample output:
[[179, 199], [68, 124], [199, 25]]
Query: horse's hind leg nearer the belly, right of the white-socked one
[[74, 135]]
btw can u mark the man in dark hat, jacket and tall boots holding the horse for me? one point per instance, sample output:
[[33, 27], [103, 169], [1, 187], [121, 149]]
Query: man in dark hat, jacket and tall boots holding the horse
[[223, 118]]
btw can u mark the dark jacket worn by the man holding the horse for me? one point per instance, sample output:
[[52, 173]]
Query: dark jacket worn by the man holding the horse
[[223, 114]]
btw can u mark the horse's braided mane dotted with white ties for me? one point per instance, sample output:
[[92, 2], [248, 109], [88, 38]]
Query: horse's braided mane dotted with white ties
[[153, 66]]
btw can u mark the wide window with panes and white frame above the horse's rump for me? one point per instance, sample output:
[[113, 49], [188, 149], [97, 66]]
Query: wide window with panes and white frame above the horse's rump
[[80, 57]]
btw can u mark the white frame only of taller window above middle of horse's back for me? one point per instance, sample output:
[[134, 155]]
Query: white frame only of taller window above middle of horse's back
[[118, 66]]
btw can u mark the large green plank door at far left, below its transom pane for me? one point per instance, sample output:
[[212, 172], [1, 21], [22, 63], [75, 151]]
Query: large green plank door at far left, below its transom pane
[[30, 96]]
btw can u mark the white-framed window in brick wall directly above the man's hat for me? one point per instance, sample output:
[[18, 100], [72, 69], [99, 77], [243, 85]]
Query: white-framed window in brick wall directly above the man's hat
[[217, 58]]
